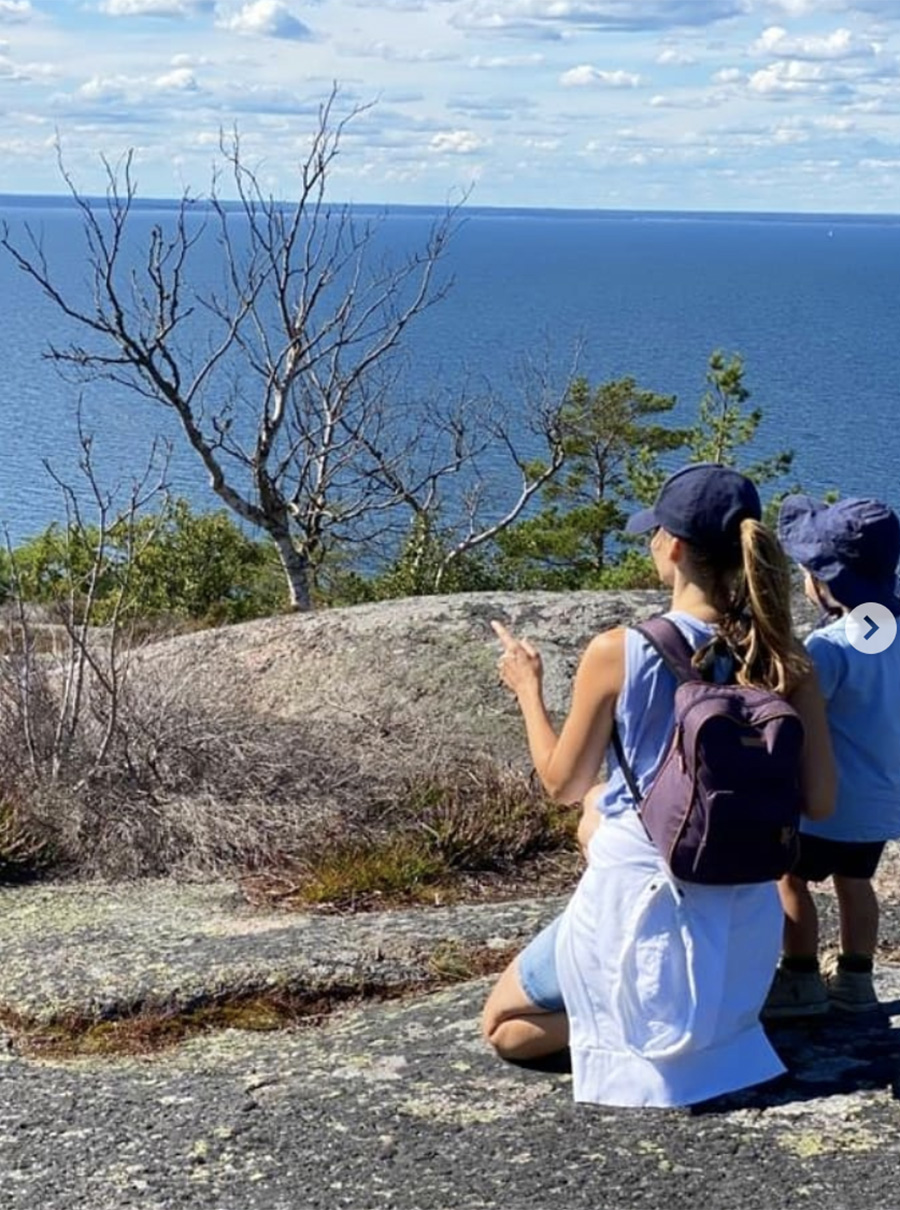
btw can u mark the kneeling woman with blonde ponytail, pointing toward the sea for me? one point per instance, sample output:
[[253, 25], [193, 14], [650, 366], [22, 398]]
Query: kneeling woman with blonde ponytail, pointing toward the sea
[[657, 986]]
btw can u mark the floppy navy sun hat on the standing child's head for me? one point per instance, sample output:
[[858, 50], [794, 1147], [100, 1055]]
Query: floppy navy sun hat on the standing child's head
[[852, 546]]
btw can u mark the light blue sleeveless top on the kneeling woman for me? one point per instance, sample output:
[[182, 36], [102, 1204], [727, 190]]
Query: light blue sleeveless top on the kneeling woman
[[645, 713]]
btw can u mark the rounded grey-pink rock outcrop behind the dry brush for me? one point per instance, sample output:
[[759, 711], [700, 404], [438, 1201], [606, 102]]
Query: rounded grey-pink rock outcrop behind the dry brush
[[418, 675]]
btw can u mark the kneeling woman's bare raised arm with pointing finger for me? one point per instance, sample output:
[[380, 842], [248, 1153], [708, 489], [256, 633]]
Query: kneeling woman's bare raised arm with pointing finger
[[567, 764]]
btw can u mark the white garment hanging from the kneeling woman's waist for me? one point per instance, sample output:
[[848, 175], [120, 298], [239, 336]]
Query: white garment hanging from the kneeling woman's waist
[[664, 982]]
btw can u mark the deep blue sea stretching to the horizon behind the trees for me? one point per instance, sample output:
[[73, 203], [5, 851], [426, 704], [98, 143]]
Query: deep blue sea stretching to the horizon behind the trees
[[811, 303]]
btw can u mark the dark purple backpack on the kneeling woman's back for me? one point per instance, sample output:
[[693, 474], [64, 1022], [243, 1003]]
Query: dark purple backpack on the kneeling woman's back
[[725, 806]]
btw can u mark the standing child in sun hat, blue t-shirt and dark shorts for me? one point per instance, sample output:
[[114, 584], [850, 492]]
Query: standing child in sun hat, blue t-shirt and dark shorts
[[850, 554]]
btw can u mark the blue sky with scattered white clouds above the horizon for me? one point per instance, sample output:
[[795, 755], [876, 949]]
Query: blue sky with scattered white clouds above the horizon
[[791, 106]]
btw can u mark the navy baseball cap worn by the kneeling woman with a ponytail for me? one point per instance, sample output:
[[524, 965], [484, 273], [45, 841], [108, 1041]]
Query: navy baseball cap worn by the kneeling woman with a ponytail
[[703, 504]]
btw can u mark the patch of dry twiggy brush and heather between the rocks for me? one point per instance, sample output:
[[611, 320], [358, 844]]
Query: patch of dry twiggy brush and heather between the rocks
[[303, 815]]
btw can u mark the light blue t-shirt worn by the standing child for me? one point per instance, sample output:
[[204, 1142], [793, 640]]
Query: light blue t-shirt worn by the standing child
[[863, 704]]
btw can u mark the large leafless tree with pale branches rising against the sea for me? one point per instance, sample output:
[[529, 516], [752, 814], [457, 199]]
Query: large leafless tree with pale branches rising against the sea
[[285, 378]]
